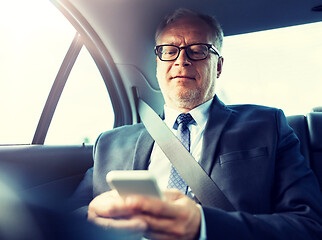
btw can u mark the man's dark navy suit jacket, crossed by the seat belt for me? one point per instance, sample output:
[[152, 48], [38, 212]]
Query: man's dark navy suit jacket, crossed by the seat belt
[[253, 156]]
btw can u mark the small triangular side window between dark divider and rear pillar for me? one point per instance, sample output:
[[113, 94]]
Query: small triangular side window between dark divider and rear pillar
[[84, 109]]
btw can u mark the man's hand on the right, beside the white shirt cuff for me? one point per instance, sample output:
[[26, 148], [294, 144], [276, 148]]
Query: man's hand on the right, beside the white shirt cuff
[[176, 218]]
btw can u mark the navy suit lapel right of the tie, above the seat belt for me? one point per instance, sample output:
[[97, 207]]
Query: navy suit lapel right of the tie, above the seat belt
[[218, 118]]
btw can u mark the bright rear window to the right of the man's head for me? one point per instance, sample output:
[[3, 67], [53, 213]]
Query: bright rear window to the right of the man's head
[[280, 68]]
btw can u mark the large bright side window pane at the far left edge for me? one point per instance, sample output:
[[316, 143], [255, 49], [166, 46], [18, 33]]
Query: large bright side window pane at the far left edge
[[34, 38]]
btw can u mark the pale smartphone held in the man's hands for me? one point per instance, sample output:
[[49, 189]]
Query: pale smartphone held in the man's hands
[[134, 182]]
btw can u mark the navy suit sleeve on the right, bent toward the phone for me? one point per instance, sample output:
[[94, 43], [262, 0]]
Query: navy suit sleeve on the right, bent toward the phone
[[296, 200]]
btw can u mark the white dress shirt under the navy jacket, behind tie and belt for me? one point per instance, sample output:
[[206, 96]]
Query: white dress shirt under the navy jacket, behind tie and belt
[[160, 166]]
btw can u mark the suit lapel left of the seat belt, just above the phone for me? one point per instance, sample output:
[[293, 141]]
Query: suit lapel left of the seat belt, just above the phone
[[142, 151]]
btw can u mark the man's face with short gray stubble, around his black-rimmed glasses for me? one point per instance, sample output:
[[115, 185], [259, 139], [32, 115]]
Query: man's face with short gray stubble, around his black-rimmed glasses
[[185, 83]]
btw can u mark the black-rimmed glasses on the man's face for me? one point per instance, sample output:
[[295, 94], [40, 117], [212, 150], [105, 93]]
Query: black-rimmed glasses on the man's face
[[197, 51]]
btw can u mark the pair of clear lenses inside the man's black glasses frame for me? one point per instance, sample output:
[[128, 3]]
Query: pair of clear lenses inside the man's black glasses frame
[[194, 52]]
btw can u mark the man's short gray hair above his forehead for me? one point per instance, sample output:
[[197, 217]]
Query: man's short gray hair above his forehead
[[217, 32]]
